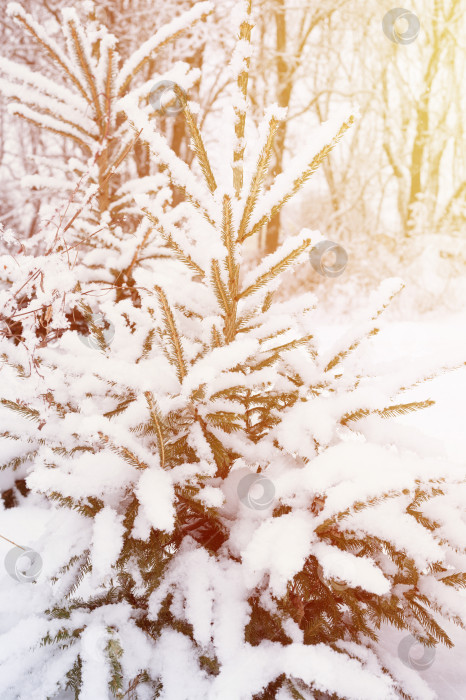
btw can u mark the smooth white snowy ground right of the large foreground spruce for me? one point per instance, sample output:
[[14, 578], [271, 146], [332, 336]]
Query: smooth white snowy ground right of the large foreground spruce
[[445, 421]]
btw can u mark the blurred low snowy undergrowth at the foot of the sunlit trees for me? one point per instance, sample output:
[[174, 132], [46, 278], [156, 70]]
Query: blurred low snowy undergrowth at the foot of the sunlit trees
[[431, 266]]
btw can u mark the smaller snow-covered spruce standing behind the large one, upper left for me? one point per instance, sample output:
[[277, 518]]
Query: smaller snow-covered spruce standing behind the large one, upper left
[[79, 101]]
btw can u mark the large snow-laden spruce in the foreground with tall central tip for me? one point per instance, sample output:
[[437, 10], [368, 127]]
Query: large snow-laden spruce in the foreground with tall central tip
[[164, 574]]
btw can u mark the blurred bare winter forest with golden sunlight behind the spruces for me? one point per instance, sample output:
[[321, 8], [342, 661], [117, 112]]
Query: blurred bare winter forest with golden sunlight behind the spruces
[[392, 193]]
